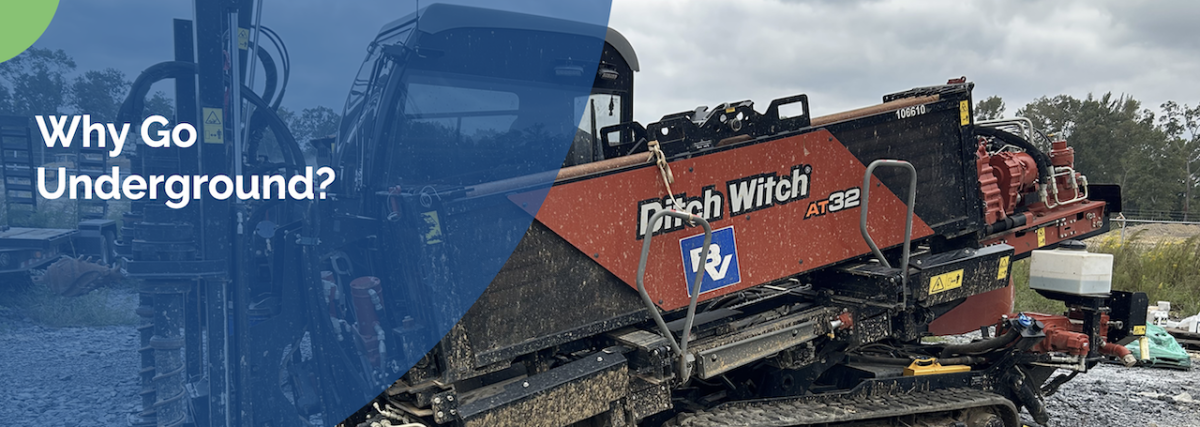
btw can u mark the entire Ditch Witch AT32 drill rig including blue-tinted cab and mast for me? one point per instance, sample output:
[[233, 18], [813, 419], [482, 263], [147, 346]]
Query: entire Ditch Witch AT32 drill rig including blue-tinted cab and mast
[[718, 268]]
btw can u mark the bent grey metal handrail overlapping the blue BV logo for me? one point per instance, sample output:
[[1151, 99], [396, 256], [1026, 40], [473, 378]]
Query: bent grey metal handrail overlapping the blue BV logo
[[681, 348]]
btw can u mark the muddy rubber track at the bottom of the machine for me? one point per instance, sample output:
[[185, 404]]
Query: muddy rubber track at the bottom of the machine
[[842, 408]]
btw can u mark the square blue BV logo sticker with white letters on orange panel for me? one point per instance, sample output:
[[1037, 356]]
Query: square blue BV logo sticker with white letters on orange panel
[[721, 267]]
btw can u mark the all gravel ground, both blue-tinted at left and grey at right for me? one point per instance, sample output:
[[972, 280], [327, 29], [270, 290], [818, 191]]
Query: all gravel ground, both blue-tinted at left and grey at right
[[87, 377]]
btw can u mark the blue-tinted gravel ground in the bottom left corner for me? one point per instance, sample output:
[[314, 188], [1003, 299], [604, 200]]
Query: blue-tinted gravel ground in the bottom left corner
[[68, 377]]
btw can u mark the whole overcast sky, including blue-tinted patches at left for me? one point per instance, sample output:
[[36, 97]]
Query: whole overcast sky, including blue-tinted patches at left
[[844, 55]]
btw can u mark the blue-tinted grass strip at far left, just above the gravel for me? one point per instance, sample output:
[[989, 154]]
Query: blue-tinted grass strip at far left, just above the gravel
[[101, 308]]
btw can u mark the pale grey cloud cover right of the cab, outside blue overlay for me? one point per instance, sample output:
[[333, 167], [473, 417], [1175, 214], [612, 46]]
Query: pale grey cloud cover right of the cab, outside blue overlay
[[848, 55]]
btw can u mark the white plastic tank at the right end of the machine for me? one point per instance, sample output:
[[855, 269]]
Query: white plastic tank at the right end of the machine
[[1072, 270]]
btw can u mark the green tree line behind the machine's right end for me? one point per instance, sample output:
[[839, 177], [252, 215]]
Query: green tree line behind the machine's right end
[[1151, 155]]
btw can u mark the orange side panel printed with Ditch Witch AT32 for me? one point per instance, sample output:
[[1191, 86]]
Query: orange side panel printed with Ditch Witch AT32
[[781, 224]]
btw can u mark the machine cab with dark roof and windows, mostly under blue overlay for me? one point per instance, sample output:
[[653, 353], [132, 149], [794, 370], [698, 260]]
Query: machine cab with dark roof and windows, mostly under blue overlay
[[463, 97]]
